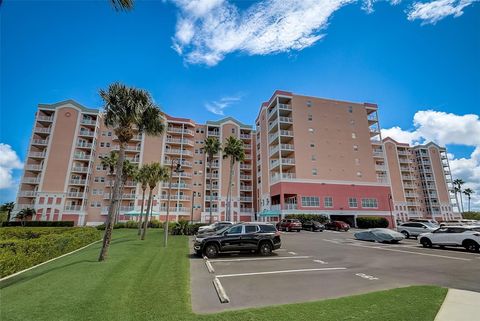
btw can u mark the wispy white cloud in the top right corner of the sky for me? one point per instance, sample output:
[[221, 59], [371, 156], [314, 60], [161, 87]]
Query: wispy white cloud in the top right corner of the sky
[[434, 11]]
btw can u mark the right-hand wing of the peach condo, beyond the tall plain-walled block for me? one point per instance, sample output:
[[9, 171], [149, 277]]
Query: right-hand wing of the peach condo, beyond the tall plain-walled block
[[421, 181]]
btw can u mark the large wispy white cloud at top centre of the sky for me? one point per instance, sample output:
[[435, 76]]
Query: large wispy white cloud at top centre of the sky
[[207, 30]]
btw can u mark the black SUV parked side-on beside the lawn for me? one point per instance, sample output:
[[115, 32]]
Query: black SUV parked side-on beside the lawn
[[260, 237]]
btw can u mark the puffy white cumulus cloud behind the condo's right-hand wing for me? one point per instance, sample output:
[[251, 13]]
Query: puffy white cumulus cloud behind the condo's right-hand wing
[[444, 129]]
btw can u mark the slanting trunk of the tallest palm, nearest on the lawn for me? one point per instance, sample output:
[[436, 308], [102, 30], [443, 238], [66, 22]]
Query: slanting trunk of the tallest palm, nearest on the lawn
[[107, 236]]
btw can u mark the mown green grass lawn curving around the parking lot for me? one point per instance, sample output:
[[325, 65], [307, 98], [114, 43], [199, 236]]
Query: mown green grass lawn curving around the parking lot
[[143, 281]]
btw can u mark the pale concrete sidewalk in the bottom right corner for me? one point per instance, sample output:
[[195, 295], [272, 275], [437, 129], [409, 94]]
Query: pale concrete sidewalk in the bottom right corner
[[460, 305]]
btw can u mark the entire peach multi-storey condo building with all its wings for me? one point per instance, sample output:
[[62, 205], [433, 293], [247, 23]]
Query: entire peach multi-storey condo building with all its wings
[[305, 155]]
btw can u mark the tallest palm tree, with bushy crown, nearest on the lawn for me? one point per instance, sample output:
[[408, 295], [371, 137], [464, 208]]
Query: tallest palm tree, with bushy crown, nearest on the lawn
[[126, 110]]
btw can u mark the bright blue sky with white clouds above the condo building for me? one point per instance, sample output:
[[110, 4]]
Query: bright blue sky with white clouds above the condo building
[[52, 51]]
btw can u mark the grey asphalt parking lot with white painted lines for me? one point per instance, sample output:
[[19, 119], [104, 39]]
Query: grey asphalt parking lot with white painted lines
[[318, 265]]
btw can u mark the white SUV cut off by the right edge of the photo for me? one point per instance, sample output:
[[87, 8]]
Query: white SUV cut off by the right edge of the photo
[[464, 236]]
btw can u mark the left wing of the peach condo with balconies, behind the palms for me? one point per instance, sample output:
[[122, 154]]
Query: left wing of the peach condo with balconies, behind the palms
[[64, 179]]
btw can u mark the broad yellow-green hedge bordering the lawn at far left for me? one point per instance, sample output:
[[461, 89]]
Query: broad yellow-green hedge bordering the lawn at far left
[[21, 248]]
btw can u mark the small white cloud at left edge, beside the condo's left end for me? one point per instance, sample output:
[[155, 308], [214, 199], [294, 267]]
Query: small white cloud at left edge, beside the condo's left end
[[9, 161]]
